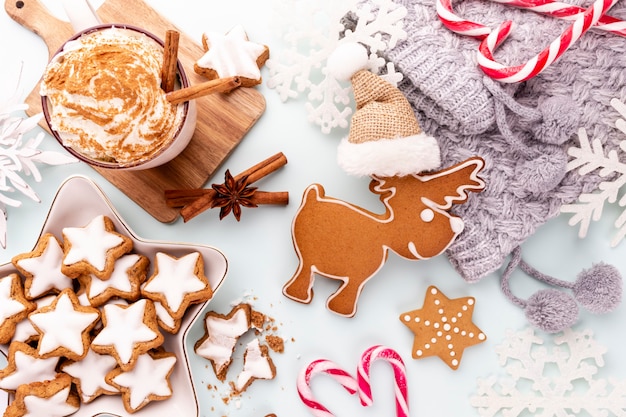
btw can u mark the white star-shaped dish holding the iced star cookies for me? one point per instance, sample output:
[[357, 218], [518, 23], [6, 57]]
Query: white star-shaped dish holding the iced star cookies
[[77, 201]]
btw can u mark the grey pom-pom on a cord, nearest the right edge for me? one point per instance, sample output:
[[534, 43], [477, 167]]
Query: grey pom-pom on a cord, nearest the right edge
[[599, 288]]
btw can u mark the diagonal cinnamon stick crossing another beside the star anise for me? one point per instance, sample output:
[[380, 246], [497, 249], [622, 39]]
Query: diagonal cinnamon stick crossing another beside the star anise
[[254, 173]]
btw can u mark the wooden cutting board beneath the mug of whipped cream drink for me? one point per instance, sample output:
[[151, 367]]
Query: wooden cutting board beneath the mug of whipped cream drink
[[223, 120]]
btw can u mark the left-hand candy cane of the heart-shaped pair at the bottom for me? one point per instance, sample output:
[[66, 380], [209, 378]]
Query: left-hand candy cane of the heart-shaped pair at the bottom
[[330, 368]]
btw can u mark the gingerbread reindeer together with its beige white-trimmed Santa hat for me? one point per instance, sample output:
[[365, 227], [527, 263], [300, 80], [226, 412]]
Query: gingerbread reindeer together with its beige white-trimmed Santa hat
[[344, 242]]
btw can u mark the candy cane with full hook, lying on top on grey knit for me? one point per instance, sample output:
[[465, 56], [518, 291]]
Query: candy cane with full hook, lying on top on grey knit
[[541, 61]]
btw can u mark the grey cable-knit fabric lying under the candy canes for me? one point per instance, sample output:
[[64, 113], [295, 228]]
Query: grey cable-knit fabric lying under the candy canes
[[522, 130]]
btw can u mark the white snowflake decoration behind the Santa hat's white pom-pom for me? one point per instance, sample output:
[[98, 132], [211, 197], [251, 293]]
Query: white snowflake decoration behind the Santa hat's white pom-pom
[[312, 30]]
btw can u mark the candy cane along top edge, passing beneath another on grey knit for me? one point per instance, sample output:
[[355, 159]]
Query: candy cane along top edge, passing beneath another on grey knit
[[552, 8]]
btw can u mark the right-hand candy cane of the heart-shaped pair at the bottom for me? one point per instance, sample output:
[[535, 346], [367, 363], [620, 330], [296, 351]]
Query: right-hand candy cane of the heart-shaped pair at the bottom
[[363, 377]]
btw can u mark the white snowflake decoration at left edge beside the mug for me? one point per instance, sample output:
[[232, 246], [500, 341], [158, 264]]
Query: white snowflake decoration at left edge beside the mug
[[19, 158]]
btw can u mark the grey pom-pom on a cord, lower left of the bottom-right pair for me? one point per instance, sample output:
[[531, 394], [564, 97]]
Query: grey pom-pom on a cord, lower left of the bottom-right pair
[[551, 310]]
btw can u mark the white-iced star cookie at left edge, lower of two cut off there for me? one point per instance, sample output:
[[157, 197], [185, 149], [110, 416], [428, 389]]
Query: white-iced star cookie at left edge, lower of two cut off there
[[24, 366]]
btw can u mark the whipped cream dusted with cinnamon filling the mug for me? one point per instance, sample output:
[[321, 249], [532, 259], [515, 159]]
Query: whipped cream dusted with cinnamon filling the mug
[[105, 98]]
